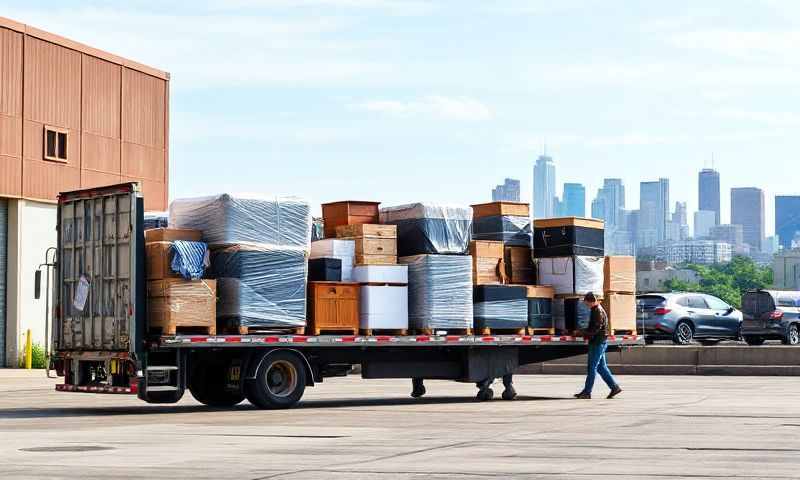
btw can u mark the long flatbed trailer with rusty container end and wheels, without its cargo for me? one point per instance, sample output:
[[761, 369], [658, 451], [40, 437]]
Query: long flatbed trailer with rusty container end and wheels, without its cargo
[[101, 342]]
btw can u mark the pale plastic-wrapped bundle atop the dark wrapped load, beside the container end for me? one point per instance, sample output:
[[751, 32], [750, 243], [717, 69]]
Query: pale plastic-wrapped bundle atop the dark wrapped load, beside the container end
[[228, 219]]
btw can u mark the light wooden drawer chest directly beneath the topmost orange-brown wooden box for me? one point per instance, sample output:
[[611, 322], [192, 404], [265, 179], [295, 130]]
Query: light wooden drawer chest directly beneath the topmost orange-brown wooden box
[[373, 244]]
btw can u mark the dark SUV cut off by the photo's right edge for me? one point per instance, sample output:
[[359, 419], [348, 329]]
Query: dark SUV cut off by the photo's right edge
[[771, 315]]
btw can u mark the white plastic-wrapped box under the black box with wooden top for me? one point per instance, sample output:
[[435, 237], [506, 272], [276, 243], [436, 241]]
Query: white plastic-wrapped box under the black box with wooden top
[[576, 275]]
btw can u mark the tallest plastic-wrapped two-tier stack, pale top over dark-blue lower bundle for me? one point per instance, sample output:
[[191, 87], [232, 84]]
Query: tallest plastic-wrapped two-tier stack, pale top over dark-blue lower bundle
[[259, 254]]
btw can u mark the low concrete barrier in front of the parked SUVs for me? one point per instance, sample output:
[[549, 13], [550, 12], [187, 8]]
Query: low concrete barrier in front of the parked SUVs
[[773, 360]]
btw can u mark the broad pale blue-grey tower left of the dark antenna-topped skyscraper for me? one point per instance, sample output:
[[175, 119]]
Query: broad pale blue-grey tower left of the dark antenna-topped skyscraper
[[653, 213]]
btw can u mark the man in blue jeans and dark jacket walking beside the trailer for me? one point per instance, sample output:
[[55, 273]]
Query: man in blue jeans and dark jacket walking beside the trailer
[[596, 332]]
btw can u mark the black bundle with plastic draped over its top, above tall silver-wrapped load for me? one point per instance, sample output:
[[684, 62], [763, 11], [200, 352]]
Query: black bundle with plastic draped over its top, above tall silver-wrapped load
[[424, 228]]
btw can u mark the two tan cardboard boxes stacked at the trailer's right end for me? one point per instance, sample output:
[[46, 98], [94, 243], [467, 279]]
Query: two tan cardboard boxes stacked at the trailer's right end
[[619, 297]]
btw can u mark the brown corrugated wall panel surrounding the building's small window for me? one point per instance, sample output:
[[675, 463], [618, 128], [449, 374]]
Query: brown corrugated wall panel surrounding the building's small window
[[52, 86]]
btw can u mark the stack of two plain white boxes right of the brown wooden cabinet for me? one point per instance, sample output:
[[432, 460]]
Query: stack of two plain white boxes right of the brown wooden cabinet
[[384, 298]]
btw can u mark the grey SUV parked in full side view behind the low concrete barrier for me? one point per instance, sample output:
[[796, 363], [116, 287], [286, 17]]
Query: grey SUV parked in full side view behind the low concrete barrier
[[682, 317]]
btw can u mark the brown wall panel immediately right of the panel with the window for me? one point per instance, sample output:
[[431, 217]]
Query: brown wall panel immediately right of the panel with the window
[[101, 87]]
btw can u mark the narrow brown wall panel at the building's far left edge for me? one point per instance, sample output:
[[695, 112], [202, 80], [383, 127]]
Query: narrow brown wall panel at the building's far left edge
[[10, 113]]
